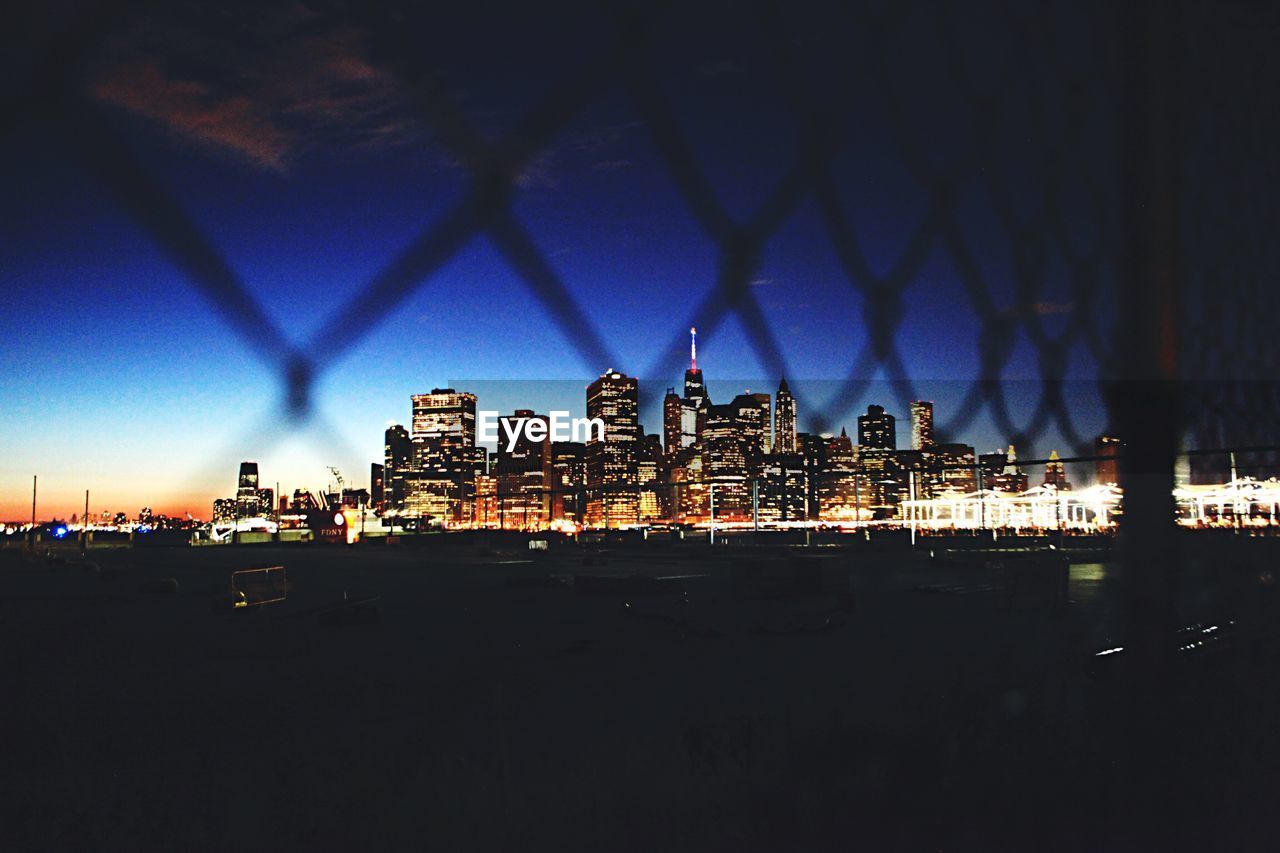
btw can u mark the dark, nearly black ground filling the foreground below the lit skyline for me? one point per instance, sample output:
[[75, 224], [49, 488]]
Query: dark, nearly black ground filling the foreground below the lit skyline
[[486, 703]]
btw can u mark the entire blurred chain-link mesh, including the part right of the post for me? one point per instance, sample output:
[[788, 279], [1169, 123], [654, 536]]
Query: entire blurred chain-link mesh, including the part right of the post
[[1091, 144]]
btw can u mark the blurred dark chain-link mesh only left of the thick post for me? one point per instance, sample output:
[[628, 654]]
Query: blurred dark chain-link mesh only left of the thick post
[[1064, 227]]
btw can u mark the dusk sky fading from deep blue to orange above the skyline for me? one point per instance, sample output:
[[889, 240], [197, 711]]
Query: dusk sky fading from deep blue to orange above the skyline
[[294, 142]]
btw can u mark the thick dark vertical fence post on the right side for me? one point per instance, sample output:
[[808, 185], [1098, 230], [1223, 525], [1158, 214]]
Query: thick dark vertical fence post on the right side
[[1144, 400]]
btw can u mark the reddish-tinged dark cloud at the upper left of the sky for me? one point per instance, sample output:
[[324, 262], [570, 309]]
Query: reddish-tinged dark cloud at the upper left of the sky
[[267, 98]]
